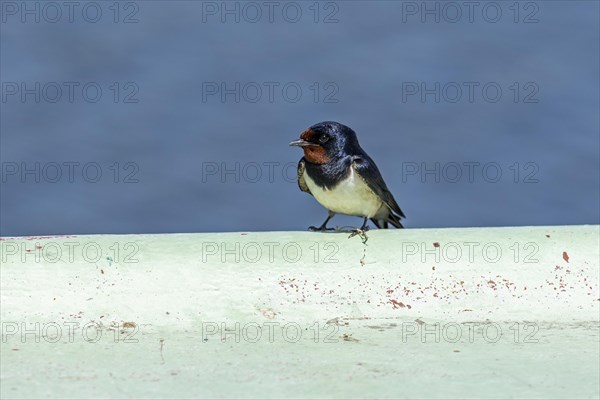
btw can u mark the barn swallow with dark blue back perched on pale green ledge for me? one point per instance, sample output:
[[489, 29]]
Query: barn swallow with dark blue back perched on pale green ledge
[[343, 178]]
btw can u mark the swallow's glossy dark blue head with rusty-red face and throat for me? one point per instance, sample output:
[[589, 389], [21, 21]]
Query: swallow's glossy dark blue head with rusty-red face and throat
[[325, 141]]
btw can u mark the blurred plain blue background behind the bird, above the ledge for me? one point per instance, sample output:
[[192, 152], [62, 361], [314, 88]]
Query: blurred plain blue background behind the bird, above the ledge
[[165, 134]]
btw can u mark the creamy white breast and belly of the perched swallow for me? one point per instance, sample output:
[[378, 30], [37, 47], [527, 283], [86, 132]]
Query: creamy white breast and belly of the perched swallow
[[351, 196]]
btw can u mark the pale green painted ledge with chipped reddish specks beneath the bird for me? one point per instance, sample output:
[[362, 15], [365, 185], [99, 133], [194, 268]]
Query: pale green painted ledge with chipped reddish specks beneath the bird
[[527, 329]]
